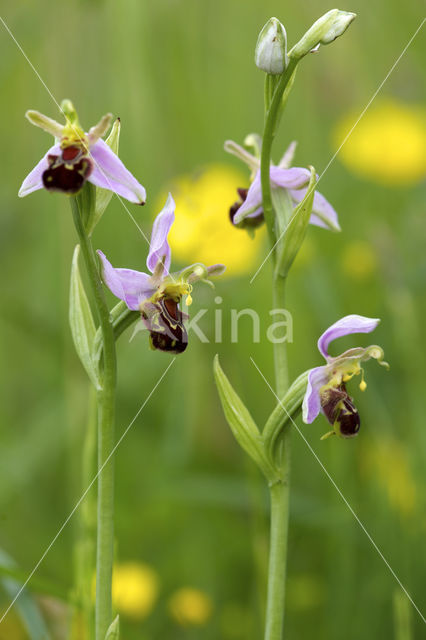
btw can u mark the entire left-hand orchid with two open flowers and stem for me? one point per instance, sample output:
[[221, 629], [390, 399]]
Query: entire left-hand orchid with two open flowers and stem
[[87, 168]]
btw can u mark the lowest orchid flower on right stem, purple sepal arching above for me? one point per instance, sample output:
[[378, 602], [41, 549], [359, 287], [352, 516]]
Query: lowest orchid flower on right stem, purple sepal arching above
[[326, 390]]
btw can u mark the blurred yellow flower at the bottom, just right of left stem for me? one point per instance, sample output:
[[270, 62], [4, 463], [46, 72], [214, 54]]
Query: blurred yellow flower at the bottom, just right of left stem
[[134, 589]]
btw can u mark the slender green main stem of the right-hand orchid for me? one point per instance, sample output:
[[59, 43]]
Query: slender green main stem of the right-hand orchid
[[279, 491]]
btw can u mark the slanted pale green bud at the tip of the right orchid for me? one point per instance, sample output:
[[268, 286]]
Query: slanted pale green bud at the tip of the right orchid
[[329, 27]]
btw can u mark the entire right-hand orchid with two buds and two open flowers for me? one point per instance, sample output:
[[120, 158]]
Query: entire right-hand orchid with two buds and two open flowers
[[284, 199]]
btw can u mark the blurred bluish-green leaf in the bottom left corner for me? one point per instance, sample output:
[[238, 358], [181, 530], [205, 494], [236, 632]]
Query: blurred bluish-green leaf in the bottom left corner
[[25, 605]]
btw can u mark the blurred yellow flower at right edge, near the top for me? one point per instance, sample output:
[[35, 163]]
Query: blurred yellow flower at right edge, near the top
[[388, 145]]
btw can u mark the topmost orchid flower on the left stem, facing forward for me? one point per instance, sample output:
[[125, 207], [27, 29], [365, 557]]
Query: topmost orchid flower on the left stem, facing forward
[[76, 157]]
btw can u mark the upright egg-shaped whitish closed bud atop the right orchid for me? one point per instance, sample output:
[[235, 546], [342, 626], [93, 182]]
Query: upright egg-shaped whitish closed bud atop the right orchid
[[271, 48]]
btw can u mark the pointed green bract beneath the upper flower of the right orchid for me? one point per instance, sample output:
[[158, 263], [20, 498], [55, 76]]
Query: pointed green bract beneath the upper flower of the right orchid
[[295, 231]]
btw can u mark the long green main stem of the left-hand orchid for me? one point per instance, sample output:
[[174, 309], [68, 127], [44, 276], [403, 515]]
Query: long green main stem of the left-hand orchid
[[106, 412]]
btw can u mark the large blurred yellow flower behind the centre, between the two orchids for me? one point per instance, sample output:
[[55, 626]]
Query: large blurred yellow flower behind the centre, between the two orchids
[[202, 231]]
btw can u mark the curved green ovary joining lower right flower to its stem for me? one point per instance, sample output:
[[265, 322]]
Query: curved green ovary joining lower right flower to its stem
[[283, 414]]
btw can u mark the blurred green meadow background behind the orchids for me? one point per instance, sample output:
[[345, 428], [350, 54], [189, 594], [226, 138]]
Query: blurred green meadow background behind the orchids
[[180, 74]]
